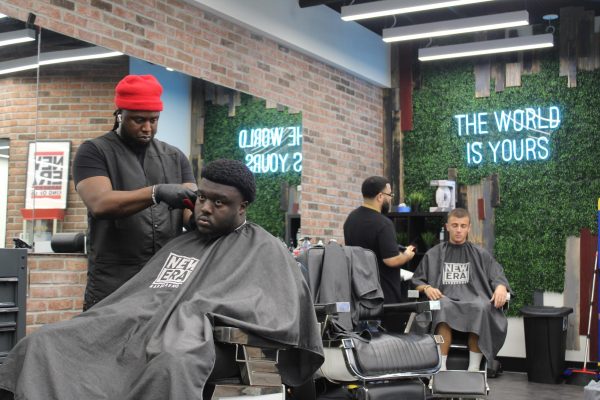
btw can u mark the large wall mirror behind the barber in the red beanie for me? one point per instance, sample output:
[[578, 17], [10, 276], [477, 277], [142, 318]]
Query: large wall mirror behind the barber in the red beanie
[[66, 102]]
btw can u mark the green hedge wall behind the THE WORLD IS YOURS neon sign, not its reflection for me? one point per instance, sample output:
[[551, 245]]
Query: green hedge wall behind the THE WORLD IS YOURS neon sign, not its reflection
[[542, 202]]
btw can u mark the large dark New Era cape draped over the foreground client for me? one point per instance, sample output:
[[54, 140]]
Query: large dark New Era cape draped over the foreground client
[[152, 338]]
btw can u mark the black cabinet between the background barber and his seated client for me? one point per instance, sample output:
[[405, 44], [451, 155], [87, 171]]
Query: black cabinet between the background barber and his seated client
[[421, 229]]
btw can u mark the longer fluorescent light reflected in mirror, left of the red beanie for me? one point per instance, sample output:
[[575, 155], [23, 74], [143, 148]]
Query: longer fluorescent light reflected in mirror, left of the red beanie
[[56, 57]]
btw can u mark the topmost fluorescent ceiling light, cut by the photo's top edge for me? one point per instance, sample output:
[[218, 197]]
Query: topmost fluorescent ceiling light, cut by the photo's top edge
[[391, 7]]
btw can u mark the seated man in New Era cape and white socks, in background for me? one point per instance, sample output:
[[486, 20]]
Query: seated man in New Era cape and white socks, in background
[[472, 289]]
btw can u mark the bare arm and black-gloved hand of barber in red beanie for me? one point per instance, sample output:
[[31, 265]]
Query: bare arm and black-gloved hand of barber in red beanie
[[104, 202]]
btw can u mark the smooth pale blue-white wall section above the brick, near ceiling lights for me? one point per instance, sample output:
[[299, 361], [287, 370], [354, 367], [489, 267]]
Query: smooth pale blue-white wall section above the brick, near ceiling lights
[[317, 31]]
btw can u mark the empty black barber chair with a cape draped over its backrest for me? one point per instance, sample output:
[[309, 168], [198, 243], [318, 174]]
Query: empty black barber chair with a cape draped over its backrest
[[372, 363]]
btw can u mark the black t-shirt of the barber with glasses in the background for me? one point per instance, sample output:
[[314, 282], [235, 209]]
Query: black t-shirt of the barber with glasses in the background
[[369, 229]]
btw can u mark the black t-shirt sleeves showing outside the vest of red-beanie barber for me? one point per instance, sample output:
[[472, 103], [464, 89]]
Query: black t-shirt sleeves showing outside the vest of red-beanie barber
[[90, 162]]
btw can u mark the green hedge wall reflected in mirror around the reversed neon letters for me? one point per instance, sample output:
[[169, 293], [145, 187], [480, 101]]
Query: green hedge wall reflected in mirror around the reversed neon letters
[[221, 141]]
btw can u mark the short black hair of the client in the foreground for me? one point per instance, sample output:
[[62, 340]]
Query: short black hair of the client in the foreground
[[231, 173]]
